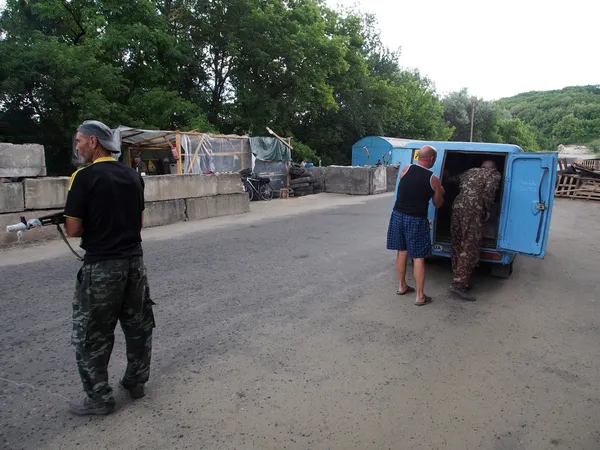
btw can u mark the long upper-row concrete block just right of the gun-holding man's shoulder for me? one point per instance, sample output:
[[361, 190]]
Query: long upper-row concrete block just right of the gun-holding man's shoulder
[[171, 187]]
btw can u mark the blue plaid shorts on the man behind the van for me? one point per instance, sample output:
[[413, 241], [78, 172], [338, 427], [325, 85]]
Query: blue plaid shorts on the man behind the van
[[409, 233]]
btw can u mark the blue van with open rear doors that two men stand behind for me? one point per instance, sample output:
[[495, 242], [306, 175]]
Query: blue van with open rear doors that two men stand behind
[[520, 220]]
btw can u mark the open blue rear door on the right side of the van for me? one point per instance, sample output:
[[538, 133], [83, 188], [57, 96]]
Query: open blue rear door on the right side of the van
[[527, 203]]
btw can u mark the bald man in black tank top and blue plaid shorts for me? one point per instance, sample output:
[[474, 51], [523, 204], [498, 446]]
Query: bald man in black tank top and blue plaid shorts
[[408, 231]]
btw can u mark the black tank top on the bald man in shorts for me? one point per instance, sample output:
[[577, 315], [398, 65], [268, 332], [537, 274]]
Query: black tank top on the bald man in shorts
[[414, 192]]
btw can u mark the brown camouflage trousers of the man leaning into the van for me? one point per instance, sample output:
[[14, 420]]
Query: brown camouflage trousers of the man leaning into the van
[[467, 232]]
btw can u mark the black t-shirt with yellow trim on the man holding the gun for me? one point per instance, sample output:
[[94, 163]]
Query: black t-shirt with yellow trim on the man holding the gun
[[108, 197]]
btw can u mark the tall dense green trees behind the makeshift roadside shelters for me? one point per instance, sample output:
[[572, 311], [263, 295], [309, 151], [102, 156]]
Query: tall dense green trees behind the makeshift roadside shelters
[[234, 66]]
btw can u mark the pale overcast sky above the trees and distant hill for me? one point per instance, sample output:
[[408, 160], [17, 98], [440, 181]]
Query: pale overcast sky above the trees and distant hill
[[494, 48]]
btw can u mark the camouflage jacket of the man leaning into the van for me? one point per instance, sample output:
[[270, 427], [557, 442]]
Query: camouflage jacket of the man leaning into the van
[[478, 188]]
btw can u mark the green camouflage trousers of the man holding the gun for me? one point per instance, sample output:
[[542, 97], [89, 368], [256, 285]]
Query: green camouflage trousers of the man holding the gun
[[108, 292]]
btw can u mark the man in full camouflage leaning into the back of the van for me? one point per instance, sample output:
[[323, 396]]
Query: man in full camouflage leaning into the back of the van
[[470, 211]]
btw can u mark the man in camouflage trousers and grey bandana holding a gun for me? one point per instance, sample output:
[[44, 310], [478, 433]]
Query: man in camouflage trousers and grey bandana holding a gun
[[105, 205]]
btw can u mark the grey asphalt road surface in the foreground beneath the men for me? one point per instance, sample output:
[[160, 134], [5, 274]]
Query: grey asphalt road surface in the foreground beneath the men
[[288, 334]]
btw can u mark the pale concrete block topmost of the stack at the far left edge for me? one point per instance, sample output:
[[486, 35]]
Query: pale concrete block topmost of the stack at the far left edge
[[25, 160]]
